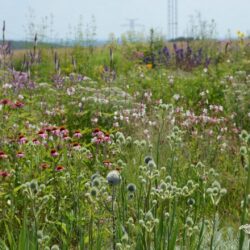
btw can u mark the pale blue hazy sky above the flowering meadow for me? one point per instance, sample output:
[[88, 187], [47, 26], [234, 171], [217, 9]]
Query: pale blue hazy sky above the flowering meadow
[[111, 16]]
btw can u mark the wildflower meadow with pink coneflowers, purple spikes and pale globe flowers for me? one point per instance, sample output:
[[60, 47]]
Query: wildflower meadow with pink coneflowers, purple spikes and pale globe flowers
[[129, 145]]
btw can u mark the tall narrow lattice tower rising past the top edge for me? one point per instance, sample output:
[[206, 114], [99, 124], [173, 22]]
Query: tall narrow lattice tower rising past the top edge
[[172, 19]]
